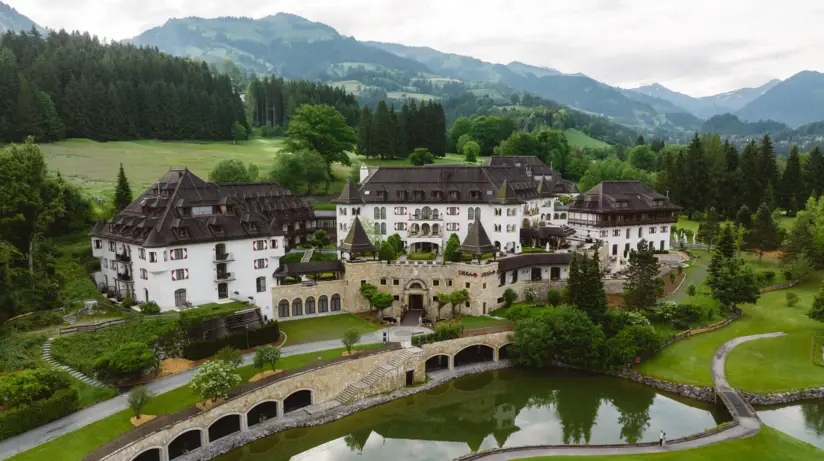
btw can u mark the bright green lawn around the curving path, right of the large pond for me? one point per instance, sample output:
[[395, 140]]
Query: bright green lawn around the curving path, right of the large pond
[[763, 366]]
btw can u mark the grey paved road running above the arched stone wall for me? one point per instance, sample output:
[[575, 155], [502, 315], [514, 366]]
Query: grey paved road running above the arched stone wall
[[77, 420]]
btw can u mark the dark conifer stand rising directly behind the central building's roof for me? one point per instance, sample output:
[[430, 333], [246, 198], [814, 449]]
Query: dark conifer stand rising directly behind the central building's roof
[[389, 134]]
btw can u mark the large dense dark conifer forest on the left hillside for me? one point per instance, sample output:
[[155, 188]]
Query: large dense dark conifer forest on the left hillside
[[72, 85]]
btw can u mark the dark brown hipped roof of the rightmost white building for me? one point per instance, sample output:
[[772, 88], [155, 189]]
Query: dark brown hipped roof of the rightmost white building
[[621, 197]]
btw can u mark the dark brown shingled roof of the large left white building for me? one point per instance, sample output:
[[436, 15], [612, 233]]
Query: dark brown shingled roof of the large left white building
[[158, 218]]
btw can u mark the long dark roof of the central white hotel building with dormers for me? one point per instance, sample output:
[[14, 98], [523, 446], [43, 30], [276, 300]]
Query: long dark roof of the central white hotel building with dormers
[[442, 184]]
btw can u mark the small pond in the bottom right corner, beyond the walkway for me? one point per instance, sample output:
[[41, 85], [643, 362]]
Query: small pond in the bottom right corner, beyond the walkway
[[804, 421]]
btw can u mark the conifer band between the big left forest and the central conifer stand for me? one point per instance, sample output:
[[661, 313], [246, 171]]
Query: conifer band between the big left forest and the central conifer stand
[[271, 101]]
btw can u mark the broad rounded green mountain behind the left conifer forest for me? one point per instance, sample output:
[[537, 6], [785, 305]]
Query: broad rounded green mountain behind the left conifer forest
[[283, 44]]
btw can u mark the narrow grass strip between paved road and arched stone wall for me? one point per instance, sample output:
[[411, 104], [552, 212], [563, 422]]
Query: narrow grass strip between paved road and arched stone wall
[[76, 445]]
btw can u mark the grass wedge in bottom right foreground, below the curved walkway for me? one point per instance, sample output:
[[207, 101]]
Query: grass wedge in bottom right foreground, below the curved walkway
[[768, 445]]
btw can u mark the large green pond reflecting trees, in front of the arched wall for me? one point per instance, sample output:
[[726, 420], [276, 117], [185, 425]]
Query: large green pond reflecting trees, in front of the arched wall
[[506, 408]]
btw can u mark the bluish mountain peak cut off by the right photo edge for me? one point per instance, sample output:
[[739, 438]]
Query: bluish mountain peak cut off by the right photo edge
[[796, 101]]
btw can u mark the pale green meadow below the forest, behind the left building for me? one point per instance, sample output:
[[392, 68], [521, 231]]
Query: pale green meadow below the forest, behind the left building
[[93, 166]]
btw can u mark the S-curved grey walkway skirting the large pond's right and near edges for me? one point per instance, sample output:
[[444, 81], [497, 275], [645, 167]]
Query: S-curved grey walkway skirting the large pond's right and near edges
[[748, 423]]
